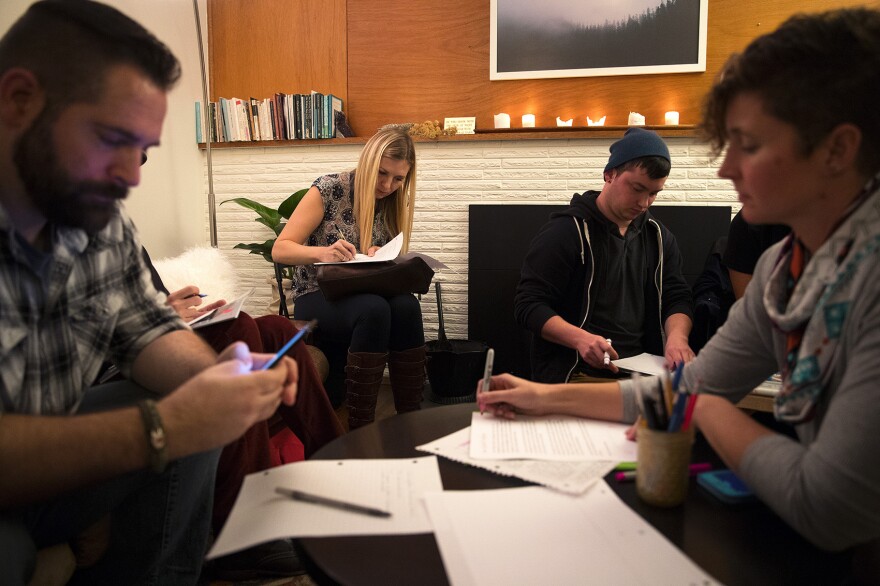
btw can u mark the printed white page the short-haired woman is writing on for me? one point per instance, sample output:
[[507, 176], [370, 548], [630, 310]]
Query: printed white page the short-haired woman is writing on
[[554, 437]]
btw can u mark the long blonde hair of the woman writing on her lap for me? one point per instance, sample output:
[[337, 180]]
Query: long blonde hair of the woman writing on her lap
[[392, 142]]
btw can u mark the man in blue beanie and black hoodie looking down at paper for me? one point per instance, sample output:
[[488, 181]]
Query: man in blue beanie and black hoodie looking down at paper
[[603, 278]]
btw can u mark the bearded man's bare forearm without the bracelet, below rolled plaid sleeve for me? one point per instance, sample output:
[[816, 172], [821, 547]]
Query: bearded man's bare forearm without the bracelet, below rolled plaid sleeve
[[171, 359]]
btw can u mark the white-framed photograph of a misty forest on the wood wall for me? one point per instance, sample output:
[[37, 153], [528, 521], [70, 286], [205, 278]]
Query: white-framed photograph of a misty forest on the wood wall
[[583, 38]]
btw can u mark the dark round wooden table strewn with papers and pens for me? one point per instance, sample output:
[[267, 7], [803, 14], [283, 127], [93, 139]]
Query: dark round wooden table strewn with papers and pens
[[742, 544]]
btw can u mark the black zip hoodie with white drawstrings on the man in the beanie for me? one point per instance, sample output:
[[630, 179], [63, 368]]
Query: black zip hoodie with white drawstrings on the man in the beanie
[[559, 277]]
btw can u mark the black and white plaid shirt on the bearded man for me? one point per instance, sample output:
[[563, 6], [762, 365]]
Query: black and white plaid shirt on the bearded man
[[100, 304]]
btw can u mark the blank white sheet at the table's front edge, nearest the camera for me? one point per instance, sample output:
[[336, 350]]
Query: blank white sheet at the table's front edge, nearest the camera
[[536, 536]]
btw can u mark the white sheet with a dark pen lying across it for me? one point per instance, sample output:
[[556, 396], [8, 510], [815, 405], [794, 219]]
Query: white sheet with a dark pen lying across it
[[394, 485]]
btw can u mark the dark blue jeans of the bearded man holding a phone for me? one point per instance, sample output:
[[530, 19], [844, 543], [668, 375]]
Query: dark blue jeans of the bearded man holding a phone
[[160, 523]]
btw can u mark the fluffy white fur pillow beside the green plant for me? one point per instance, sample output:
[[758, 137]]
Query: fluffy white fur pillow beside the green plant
[[204, 267]]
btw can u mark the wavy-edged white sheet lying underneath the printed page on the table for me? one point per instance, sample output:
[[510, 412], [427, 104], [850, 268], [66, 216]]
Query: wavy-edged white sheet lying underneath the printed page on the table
[[568, 477]]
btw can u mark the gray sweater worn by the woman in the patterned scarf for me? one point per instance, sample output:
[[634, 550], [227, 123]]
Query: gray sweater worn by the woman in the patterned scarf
[[827, 484]]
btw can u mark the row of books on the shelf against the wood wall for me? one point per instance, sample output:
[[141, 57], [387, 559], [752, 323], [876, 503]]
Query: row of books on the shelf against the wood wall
[[281, 117]]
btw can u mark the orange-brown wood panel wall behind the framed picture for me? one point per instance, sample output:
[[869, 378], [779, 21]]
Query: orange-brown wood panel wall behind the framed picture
[[425, 60]]
